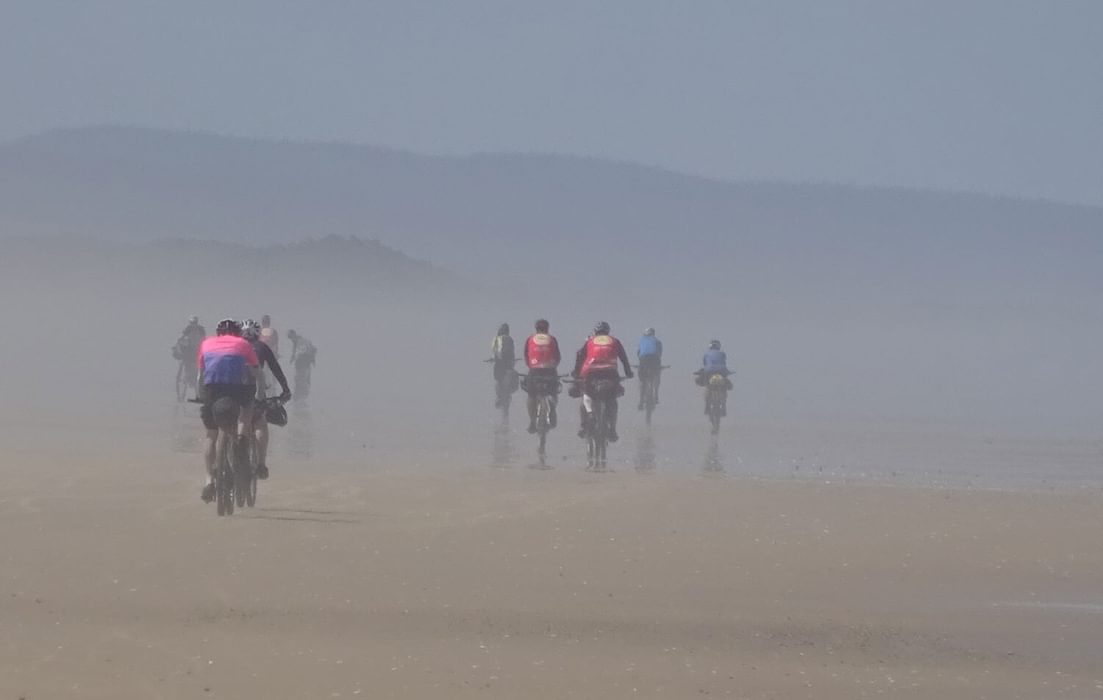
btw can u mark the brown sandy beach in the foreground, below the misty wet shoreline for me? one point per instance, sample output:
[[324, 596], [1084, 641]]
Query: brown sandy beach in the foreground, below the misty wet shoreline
[[387, 581]]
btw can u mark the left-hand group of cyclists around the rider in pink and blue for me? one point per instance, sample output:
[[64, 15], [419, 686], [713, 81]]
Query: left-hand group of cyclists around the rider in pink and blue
[[231, 383]]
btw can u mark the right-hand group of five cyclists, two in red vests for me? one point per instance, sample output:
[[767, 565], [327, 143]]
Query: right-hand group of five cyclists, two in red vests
[[596, 361]]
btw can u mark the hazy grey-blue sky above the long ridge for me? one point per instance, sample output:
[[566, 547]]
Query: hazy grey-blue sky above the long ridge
[[995, 96]]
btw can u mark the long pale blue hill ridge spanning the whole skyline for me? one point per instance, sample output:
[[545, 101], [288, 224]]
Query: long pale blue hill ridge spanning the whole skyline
[[574, 221]]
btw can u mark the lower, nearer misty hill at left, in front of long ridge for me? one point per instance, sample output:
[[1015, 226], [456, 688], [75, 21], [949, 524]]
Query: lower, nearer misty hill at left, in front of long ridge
[[326, 270]]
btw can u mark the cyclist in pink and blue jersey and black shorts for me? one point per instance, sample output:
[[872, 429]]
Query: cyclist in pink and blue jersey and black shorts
[[228, 370]]
